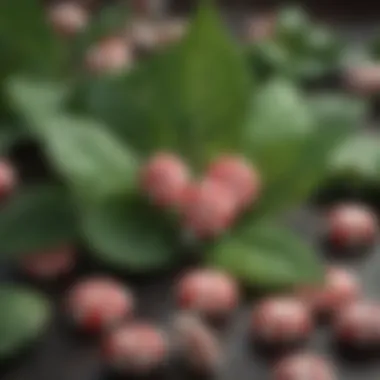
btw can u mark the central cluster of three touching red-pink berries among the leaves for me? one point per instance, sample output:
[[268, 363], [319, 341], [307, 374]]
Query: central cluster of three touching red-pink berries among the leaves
[[208, 207]]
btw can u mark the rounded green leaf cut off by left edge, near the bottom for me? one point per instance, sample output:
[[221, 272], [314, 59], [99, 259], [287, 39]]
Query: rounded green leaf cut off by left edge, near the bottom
[[24, 315]]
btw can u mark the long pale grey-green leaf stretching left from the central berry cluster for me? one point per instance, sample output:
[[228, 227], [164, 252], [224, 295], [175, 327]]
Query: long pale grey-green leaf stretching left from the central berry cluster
[[93, 162]]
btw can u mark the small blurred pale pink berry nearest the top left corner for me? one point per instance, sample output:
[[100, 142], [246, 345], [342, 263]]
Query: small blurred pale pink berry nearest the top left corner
[[67, 18]]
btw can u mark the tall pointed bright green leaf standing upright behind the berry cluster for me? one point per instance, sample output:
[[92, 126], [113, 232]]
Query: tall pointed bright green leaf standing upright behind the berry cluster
[[215, 101]]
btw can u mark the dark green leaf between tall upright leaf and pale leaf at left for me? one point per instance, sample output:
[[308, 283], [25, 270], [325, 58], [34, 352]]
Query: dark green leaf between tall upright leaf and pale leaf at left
[[141, 106]]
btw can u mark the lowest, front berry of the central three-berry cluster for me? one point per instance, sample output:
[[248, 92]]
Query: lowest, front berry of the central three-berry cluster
[[208, 209]]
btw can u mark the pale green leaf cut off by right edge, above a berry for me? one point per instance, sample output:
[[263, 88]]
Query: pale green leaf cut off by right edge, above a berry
[[357, 159]]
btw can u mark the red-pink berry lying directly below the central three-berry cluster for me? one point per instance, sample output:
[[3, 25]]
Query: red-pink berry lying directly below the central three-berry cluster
[[208, 292]]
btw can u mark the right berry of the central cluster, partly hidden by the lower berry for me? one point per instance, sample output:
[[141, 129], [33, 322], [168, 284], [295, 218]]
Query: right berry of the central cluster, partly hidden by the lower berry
[[239, 177]]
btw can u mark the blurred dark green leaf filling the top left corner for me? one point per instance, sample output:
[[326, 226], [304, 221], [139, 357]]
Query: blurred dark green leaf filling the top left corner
[[27, 39]]
